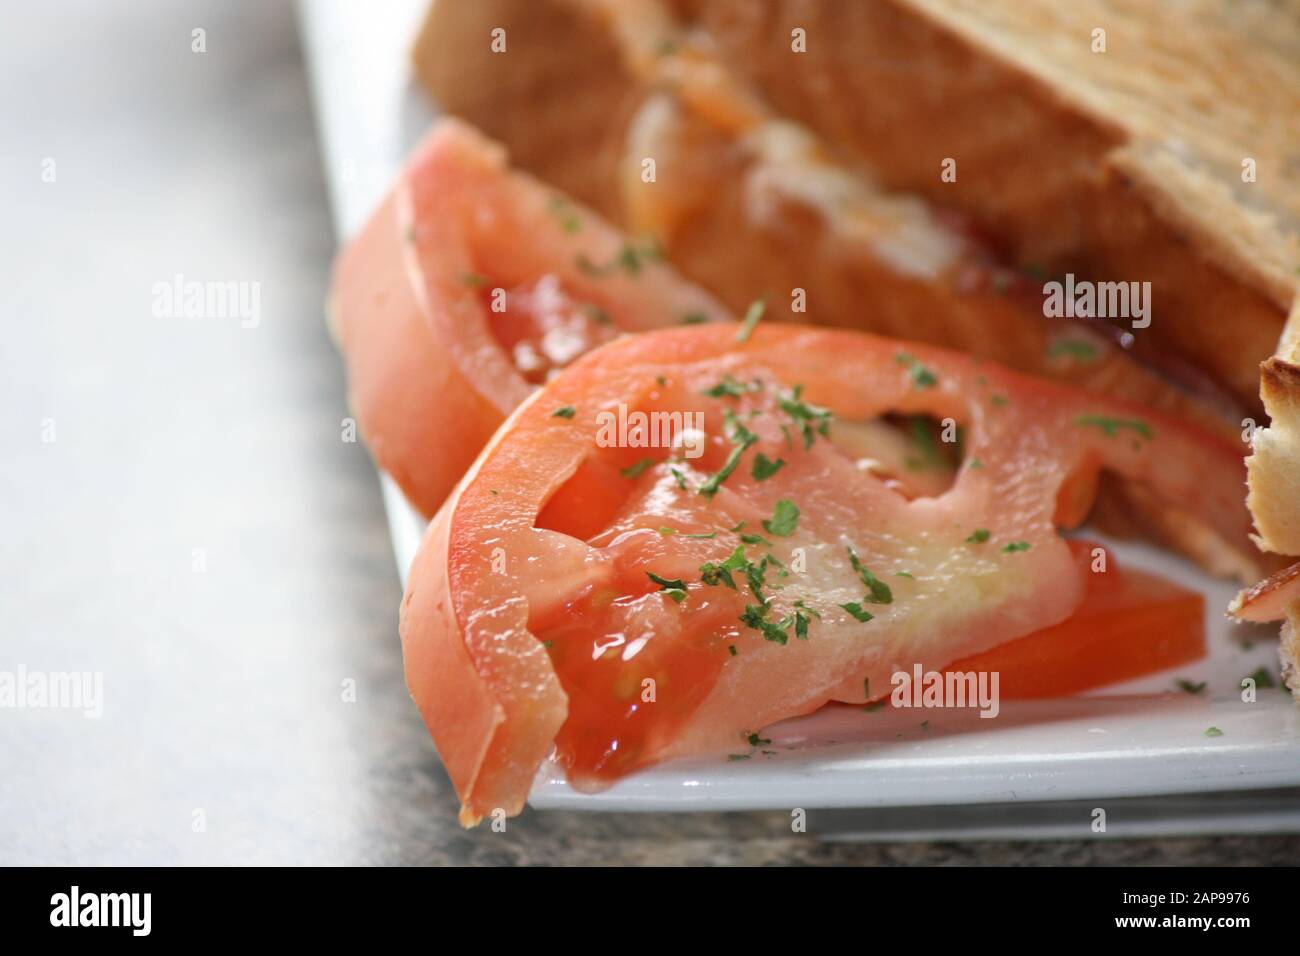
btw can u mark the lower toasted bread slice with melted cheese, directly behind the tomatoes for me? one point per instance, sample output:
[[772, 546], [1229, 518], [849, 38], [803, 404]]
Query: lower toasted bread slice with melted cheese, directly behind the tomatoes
[[749, 204]]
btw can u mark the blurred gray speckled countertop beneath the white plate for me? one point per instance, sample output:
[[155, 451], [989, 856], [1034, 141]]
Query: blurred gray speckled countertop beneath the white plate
[[180, 514]]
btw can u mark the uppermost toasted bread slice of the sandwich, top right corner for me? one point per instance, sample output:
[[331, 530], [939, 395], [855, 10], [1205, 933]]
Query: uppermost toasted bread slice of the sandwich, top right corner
[[1116, 141]]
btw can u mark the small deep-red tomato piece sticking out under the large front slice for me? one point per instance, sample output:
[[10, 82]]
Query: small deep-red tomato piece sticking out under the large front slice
[[1132, 624]]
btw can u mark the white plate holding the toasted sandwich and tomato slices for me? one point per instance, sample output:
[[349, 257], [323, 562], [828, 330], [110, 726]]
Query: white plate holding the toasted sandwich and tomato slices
[[1139, 739]]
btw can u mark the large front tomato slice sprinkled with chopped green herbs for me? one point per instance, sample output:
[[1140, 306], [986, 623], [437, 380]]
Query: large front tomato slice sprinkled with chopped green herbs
[[547, 612]]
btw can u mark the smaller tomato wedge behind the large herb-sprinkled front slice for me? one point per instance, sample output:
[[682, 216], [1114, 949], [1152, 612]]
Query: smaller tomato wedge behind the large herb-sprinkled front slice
[[470, 285]]
